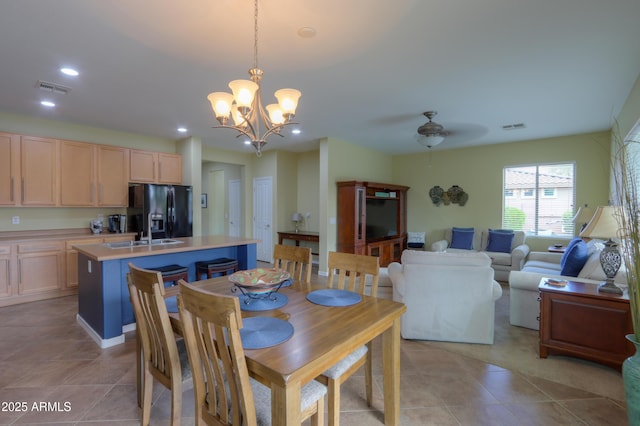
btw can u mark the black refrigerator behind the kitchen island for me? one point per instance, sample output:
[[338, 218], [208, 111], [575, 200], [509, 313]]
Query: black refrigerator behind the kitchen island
[[168, 208]]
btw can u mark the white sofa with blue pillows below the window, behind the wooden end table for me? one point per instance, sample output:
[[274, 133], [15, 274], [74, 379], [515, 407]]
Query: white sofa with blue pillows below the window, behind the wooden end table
[[524, 304]]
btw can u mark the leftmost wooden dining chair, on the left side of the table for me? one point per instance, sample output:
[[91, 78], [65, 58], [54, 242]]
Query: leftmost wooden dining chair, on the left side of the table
[[159, 355]]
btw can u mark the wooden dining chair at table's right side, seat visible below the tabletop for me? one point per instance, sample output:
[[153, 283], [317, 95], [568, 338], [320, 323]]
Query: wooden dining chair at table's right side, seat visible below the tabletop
[[351, 272]]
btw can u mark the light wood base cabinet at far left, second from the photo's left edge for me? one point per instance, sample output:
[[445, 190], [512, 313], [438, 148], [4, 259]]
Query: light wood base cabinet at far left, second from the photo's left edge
[[40, 267]]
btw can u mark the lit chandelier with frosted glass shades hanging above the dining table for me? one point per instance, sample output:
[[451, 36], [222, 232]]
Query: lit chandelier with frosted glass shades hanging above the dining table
[[244, 105]]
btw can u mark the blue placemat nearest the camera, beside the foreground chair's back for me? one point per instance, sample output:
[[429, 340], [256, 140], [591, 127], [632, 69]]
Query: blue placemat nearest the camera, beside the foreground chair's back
[[263, 332]]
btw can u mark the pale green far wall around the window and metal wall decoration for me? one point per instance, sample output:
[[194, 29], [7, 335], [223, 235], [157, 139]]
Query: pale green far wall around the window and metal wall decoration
[[479, 170]]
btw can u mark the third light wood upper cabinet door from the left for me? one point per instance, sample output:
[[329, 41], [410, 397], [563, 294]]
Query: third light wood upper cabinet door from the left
[[77, 174]]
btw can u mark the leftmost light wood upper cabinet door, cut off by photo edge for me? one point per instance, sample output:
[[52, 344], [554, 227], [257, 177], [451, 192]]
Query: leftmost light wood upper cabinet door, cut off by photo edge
[[9, 169]]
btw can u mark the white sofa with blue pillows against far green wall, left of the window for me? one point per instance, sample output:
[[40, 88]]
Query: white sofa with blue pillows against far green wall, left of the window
[[502, 263]]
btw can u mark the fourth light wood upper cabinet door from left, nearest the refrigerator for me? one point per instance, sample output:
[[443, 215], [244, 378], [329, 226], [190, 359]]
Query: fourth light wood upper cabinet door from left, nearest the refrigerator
[[113, 176]]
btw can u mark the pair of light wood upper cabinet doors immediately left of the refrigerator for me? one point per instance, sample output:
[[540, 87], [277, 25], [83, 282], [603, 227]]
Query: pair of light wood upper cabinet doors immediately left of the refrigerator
[[93, 175]]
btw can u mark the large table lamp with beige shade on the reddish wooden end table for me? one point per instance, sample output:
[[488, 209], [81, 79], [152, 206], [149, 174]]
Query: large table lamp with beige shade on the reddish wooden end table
[[604, 224]]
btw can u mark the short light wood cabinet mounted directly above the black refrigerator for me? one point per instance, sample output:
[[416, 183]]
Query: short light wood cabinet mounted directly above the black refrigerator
[[155, 167]]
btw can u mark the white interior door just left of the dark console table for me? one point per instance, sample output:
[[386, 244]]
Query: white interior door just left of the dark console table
[[262, 218]]
